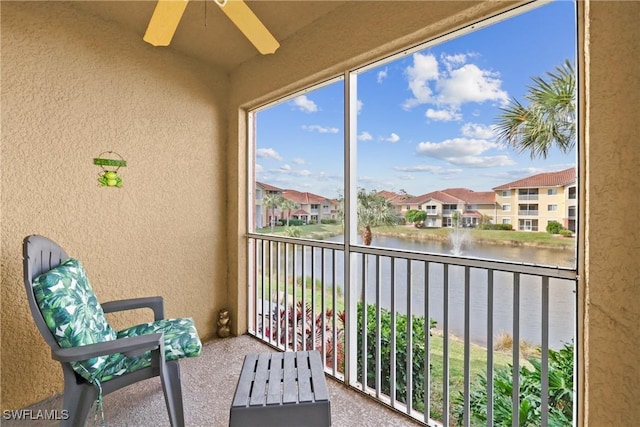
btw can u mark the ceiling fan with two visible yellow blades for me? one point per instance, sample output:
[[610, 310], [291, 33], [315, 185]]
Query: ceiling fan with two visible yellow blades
[[167, 15]]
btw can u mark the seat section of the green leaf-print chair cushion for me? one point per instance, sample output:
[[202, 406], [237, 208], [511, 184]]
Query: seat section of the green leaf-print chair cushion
[[180, 340]]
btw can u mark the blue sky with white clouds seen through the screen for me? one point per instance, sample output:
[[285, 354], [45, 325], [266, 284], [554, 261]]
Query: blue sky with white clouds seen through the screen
[[424, 121]]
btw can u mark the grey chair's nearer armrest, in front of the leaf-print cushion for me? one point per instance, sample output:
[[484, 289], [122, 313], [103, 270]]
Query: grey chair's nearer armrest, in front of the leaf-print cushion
[[130, 346]]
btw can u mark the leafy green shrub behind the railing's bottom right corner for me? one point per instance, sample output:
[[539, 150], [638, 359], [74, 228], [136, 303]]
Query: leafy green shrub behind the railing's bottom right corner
[[560, 393]]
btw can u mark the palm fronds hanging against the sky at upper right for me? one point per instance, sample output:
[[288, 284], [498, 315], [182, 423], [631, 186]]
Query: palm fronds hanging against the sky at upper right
[[549, 118]]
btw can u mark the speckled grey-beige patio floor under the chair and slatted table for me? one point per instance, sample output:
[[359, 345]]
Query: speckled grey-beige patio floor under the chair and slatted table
[[208, 384]]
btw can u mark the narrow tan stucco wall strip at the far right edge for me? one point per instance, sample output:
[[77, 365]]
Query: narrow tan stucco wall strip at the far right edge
[[612, 273]]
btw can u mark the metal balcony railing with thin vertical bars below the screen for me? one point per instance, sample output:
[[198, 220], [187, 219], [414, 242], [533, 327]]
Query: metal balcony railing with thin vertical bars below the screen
[[354, 308]]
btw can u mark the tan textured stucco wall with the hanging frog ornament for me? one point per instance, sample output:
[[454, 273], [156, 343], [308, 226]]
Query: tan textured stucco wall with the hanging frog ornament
[[72, 87]]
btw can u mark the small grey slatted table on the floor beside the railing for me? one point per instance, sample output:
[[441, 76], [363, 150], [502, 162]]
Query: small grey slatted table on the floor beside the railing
[[281, 389]]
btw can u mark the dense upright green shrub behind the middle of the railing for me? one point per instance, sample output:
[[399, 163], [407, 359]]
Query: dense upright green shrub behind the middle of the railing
[[418, 335]]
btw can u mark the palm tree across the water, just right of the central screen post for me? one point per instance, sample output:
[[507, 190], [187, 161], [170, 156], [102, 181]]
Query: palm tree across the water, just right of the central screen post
[[373, 211]]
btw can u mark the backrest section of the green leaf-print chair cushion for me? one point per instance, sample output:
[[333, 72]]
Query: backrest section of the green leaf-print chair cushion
[[72, 312]]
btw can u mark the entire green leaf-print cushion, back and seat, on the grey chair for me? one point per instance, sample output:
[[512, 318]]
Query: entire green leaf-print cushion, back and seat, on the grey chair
[[75, 317]]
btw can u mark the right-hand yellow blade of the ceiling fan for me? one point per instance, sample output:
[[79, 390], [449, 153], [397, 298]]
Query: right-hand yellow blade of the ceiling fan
[[247, 22]]
